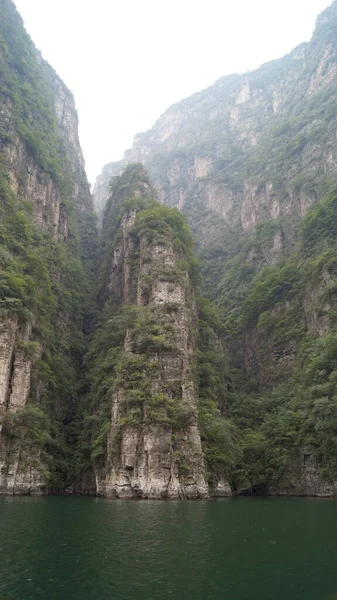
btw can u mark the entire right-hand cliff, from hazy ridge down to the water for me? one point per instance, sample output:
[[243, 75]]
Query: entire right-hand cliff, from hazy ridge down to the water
[[252, 163]]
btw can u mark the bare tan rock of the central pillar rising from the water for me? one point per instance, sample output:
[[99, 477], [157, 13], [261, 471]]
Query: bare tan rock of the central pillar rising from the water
[[147, 465]]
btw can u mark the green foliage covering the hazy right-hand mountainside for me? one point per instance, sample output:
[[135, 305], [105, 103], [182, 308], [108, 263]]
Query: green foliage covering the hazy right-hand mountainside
[[261, 299]]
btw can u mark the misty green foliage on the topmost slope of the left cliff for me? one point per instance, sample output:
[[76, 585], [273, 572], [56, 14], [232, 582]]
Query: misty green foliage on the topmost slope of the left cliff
[[28, 82]]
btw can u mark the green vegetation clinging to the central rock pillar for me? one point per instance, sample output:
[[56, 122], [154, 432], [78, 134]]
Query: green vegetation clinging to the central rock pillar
[[134, 336]]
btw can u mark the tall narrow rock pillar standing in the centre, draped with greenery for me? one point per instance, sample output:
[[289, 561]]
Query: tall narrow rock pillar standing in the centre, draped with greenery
[[148, 441]]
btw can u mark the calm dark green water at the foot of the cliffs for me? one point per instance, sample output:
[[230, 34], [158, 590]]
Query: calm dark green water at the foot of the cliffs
[[85, 549]]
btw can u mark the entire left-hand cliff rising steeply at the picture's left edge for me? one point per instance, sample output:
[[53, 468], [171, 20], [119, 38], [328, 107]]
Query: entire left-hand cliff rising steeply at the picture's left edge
[[47, 237]]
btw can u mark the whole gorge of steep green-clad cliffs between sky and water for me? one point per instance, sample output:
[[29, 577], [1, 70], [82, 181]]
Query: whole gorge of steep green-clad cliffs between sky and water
[[175, 336]]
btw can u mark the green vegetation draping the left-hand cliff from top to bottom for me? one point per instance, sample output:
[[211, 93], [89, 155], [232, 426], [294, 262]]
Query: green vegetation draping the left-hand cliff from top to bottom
[[44, 282]]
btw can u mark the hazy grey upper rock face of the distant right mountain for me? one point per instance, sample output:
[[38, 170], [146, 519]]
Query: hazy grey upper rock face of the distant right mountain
[[205, 154]]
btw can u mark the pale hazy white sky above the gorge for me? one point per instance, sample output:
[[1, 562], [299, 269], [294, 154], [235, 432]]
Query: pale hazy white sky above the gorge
[[126, 61]]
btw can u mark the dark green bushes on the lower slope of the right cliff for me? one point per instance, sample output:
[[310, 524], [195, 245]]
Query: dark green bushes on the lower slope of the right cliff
[[291, 305]]
